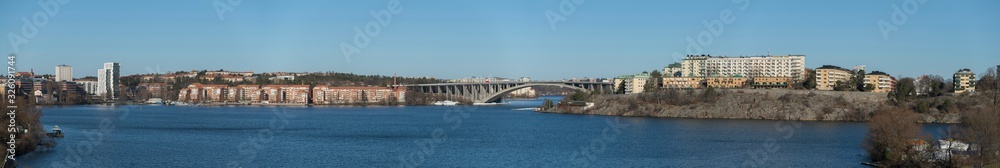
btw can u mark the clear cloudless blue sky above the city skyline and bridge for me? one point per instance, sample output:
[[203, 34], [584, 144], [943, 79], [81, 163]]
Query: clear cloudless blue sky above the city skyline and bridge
[[503, 38]]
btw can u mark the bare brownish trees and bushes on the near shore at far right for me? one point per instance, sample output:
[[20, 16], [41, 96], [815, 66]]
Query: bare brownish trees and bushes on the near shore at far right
[[895, 137]]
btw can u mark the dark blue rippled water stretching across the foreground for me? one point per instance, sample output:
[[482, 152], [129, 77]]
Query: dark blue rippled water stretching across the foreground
[[431, 136]]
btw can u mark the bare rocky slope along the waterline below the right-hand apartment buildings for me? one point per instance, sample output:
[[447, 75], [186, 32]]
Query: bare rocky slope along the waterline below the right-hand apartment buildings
[[798, 105]]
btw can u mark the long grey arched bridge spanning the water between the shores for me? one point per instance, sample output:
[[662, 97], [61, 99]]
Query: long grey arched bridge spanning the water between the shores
[[493, 91]]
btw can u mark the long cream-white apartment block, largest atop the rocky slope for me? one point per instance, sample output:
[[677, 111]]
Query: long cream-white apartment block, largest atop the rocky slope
[[792, 66]]
